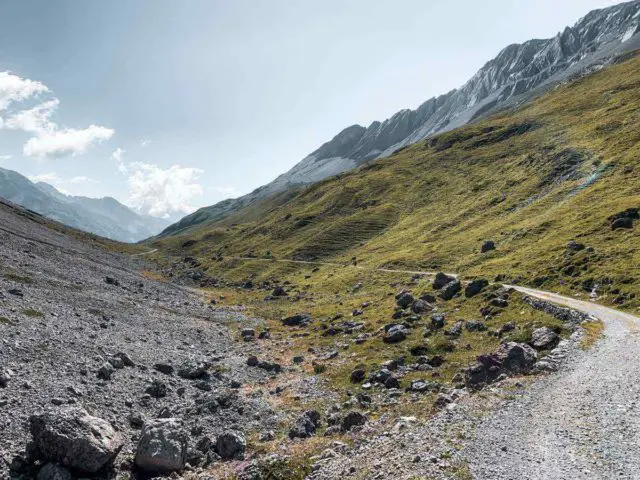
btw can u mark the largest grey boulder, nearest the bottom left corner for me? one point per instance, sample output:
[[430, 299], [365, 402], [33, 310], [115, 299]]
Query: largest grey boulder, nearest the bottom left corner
[[73, 438]]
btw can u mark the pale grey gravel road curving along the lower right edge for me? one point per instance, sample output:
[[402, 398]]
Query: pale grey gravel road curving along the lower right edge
[[581, 423]]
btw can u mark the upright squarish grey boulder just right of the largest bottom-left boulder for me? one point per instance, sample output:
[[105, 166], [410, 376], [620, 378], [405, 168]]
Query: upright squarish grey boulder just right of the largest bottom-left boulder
[[162, 447]]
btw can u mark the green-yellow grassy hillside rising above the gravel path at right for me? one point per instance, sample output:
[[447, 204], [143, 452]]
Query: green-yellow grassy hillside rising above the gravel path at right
[[531, 180]]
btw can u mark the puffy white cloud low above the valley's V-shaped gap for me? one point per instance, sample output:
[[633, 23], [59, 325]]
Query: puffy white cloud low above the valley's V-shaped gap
[[160, 192]]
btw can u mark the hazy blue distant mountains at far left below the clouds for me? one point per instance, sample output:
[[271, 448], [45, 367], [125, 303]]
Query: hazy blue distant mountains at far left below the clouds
[[103, 216]]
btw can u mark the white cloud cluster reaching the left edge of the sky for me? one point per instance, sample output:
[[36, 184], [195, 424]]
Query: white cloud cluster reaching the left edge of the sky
[[50, 139]]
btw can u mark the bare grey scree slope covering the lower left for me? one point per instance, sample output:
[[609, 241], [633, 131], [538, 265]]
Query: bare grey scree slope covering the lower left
[[81, 328]]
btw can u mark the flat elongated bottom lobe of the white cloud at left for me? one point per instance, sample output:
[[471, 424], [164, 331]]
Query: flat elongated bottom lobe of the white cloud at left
[[59, 143]]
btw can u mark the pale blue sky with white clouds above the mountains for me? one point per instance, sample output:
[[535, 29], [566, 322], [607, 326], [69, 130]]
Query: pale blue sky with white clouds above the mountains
[[173, 105]]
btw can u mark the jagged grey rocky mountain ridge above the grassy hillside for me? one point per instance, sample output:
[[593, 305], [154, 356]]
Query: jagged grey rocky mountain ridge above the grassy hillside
[[517, 74]]
